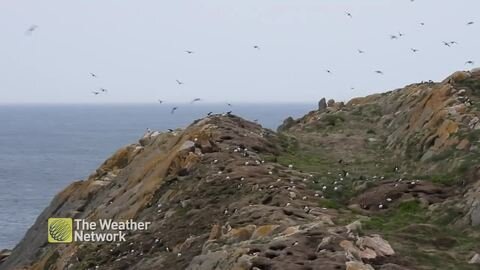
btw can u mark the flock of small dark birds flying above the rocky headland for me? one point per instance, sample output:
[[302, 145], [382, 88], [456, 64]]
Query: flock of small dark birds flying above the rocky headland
[[33, 28]]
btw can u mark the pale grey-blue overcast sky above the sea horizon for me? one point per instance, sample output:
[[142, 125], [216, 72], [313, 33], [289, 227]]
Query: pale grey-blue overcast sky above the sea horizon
[[137, 48]]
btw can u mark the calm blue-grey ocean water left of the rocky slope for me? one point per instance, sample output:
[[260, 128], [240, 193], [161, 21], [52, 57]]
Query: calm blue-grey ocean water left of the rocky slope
[[43, 148]]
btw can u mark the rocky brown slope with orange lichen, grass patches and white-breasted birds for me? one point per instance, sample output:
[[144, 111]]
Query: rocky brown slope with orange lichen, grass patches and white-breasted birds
[[389, 181]]
